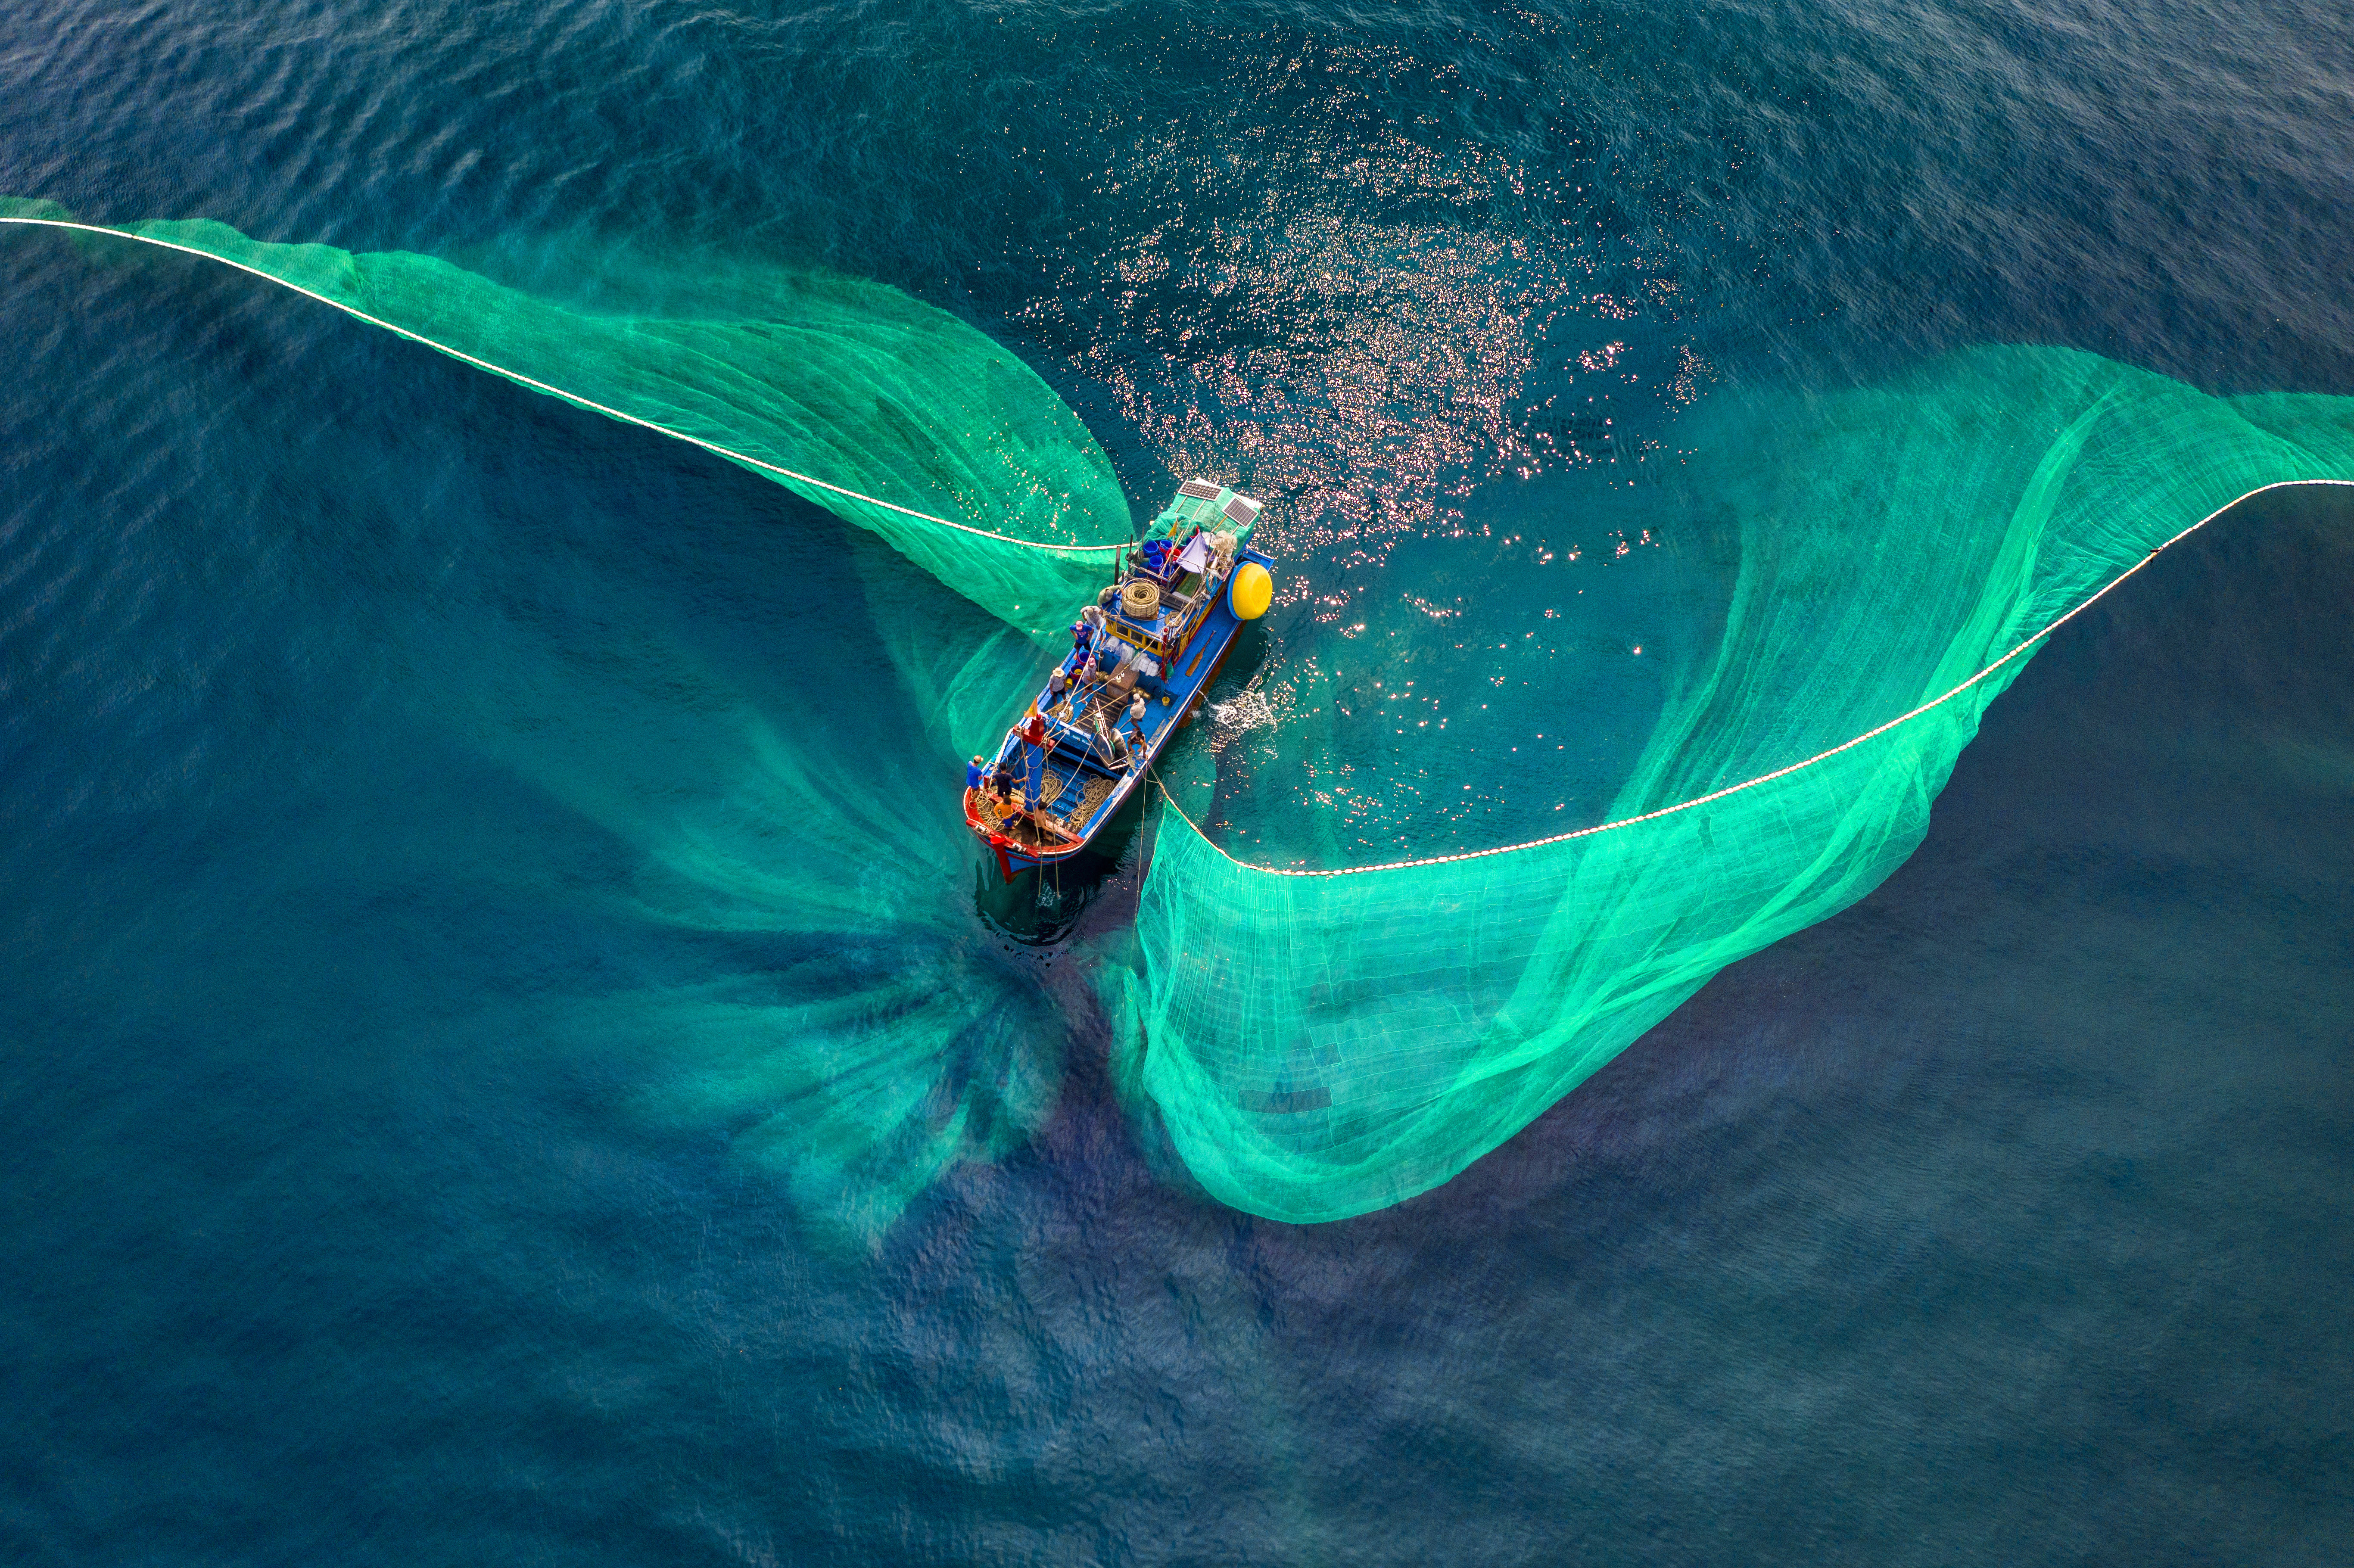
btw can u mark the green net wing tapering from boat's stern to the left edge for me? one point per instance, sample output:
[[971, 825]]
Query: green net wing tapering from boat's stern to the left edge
[[870, 404]]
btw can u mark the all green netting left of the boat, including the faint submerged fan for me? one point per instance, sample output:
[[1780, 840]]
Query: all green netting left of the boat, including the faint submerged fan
[[882, 1044]]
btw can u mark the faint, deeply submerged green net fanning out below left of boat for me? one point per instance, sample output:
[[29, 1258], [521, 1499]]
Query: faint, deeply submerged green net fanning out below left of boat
[[882, 1037]]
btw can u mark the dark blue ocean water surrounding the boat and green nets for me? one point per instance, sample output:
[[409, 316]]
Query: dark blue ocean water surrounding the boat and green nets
[[399, 1098]]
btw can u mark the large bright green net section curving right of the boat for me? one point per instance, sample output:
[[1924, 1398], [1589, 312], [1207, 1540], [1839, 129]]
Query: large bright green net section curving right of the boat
[[1326, 1044]]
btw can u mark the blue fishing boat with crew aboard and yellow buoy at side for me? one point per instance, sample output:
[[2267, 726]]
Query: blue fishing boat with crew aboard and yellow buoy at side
[[1143, 656]]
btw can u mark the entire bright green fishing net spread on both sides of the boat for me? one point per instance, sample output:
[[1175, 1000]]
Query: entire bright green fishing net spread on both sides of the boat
[[1319, 1047]]
